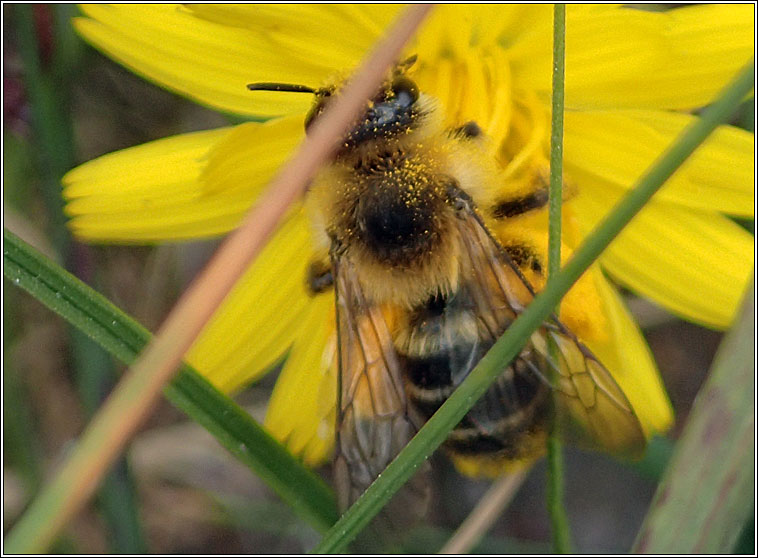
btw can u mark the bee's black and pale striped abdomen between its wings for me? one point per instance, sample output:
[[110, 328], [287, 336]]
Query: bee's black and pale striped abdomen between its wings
[[440, 344]]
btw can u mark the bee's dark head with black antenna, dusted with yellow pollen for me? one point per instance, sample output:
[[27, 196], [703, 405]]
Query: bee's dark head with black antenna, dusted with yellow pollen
[[392, 112]]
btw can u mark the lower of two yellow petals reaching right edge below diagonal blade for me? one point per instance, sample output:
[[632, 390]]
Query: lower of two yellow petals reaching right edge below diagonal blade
[[694, 263]]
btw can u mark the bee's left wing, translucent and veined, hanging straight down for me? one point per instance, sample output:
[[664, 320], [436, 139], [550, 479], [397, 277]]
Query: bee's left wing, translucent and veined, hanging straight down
[[374, 421]]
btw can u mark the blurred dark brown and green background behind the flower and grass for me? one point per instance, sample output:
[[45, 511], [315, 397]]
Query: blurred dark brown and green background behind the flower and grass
[[177, 491]]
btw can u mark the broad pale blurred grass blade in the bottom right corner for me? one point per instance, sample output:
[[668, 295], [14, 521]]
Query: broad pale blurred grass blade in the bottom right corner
[[706, 495]]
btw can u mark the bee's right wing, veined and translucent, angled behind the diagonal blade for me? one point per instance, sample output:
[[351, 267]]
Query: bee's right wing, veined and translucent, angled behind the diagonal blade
[[590, 405]]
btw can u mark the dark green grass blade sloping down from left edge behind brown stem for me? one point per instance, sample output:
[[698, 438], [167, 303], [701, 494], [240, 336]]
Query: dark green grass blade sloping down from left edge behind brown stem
[[123, 337]]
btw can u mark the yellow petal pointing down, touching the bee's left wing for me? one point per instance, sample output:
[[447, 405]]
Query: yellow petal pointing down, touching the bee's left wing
[[302, 408]]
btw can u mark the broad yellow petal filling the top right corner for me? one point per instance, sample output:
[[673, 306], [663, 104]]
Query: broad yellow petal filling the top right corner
[[629, 58]]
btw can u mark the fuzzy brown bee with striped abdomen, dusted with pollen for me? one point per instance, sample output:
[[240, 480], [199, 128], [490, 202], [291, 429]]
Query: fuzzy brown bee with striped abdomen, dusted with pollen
[[423, 288]]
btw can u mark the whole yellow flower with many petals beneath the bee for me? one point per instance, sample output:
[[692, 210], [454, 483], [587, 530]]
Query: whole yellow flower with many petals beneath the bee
[[631, 79]]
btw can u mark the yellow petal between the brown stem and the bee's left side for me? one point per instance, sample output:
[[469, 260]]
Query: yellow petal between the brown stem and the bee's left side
[[263, 314]]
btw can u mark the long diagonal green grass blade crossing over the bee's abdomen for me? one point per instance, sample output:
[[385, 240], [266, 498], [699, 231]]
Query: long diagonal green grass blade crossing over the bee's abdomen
[[433, 433]]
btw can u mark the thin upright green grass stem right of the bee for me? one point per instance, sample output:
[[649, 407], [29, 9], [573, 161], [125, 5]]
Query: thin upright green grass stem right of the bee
[[556, 508]]
